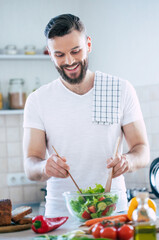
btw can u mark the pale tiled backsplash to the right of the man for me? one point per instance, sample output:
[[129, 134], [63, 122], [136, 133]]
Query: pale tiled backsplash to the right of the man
[[149, 101]]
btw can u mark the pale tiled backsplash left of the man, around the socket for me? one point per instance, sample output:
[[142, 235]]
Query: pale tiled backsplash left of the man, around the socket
[[11, 161]]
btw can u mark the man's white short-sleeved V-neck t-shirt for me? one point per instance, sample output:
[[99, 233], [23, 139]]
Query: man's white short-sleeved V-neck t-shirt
[[66, 118]]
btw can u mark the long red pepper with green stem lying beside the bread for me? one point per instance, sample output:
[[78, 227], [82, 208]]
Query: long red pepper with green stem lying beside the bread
[[41, 224]]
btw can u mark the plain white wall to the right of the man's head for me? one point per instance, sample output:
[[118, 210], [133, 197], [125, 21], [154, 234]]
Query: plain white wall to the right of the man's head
[[125, 38]]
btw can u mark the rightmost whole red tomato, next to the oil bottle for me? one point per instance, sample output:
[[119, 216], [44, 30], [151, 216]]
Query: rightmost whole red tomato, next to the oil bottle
[[125, 232]]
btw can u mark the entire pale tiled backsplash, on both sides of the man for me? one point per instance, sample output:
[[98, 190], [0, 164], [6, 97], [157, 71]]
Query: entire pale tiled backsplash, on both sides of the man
[[11, 156]]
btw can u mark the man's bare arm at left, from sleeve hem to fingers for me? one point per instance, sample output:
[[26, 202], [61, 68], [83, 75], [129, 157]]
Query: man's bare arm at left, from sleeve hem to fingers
[[35, 165]]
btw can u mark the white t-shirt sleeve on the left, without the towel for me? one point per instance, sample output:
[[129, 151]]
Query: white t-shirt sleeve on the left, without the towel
[[32, 114]]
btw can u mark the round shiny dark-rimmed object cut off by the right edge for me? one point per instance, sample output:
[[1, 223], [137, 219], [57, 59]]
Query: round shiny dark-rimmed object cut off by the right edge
[[154, 176]]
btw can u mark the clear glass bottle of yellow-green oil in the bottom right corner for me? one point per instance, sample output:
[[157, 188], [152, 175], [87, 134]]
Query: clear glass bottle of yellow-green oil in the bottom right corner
[[144, 219]]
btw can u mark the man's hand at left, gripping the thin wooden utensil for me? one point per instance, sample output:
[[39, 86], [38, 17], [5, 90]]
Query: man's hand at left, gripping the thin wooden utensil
[[56, 167]]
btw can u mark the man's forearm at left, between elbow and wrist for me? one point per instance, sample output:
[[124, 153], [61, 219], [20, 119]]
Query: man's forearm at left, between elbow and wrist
[[34, 169]]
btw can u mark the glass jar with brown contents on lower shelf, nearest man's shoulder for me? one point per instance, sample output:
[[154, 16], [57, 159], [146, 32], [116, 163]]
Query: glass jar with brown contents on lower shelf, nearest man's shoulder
[[17, 94]]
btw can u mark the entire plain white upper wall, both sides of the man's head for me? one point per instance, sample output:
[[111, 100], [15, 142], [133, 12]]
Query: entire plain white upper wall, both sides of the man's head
[[125, 36]]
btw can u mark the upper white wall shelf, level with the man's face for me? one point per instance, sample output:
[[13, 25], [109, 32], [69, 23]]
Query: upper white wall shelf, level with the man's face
[[24, 57]]
